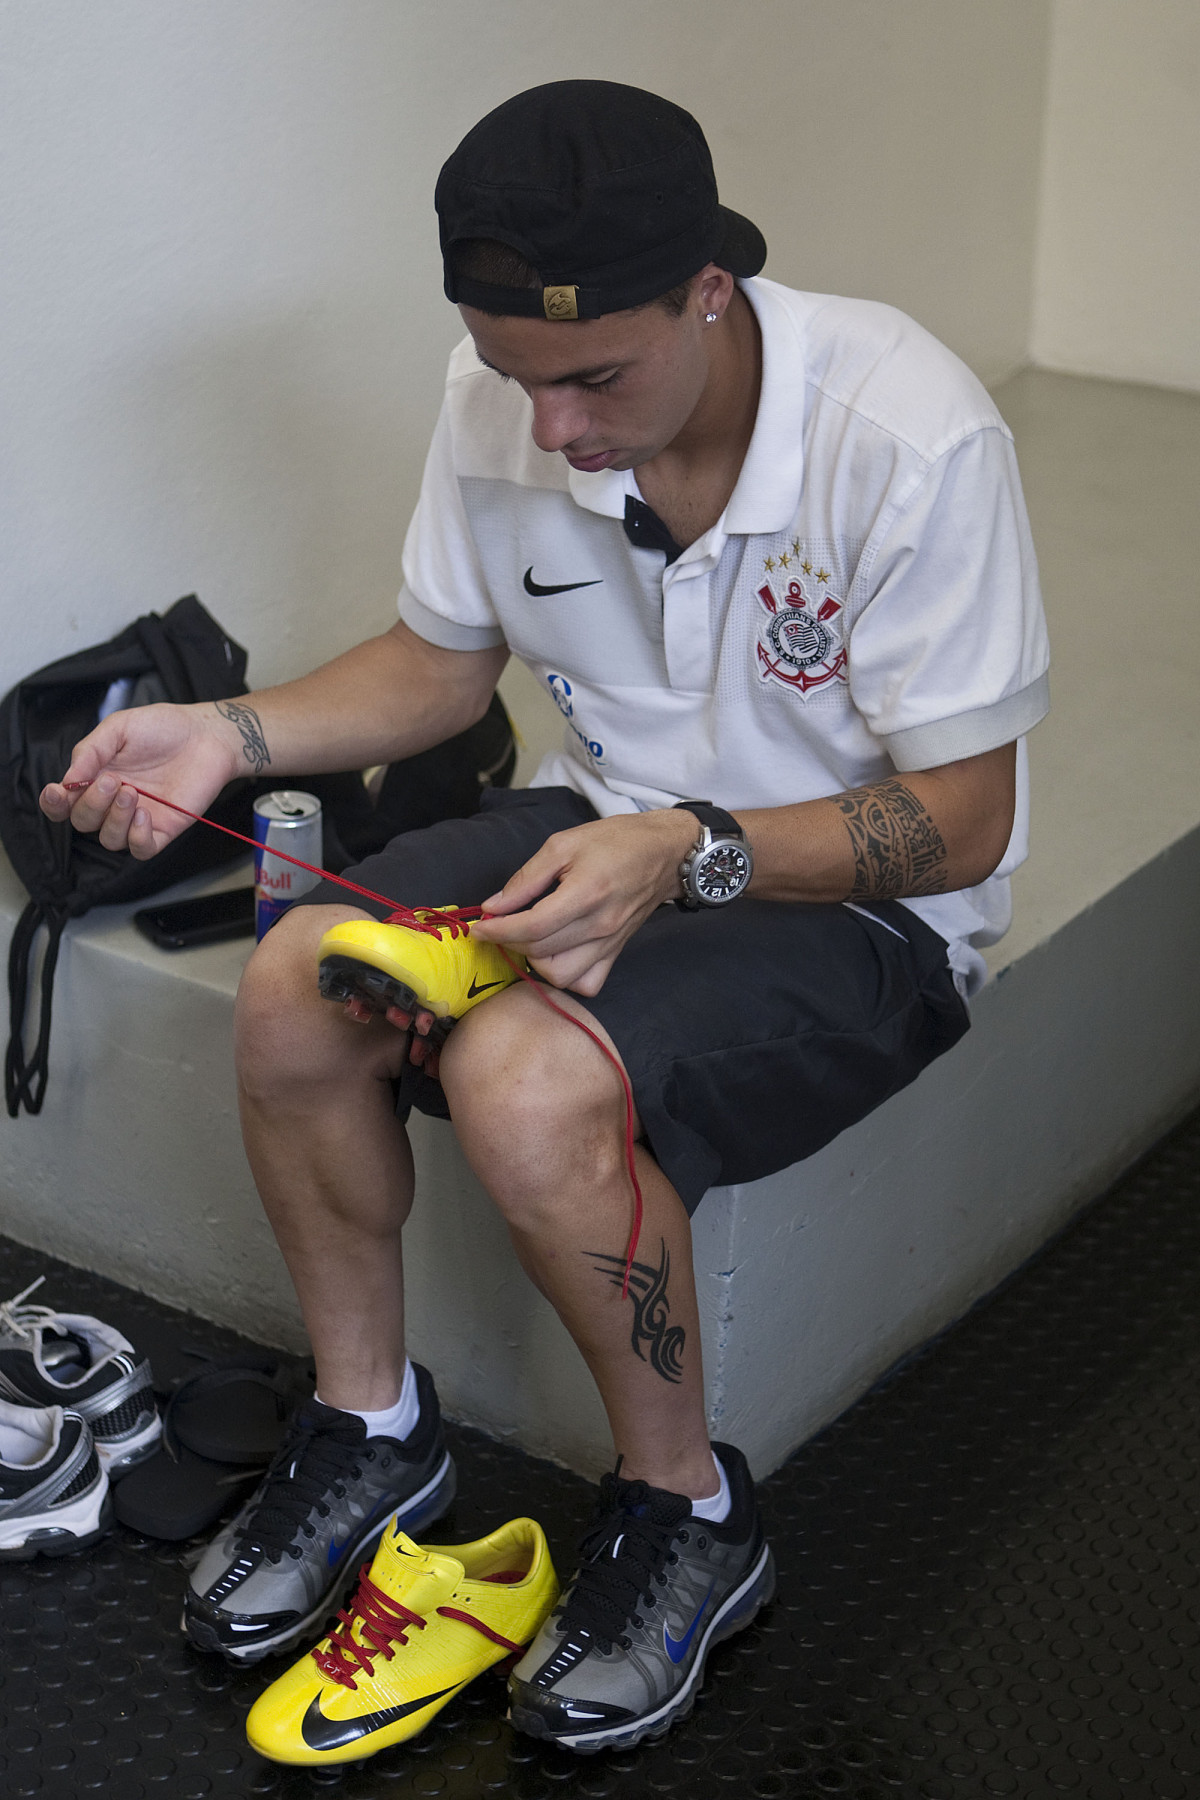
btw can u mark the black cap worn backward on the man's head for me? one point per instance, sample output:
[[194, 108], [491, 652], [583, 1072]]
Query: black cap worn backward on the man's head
[[605, 192]]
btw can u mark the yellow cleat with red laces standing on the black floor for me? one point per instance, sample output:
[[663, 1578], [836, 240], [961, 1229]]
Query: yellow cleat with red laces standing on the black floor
[[425, 1621]]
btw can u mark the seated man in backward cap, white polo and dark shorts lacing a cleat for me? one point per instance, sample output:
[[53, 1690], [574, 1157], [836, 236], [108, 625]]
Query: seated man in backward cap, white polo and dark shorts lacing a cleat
[[769, 555]]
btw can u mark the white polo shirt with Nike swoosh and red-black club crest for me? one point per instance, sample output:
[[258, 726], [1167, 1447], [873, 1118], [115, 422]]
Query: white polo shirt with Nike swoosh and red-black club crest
[[866, 604]]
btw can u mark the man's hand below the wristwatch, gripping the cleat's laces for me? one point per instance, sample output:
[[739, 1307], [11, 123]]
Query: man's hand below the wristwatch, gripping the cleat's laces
[[582, 897]]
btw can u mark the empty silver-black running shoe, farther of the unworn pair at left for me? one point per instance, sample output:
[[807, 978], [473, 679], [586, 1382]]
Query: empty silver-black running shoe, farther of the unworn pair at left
[[71, 1360]]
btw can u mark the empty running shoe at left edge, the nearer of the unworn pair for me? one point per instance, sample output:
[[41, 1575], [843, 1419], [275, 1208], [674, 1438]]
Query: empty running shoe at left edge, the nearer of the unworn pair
[[53, 1489]]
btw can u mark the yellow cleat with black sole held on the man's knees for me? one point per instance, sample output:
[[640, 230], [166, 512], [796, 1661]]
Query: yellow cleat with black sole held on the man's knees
[[391, 966]]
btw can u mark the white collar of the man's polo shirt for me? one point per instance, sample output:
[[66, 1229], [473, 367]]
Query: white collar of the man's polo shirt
[[775, 465]]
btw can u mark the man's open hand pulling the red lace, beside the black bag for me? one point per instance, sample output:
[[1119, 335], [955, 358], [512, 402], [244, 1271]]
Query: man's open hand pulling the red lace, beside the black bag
[[184, 753]]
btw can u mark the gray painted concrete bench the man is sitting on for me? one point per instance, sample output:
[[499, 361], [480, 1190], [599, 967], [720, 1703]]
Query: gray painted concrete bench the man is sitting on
[[1086, 1041]]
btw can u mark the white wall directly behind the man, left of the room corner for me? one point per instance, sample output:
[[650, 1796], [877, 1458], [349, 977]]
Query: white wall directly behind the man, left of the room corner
[[222, 328]]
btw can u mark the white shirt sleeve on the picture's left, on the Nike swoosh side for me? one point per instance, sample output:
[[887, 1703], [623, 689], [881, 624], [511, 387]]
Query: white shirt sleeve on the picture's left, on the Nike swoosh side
[[445, 597]]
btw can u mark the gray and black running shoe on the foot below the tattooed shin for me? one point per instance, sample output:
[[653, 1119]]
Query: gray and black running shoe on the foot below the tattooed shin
[[623, 1655]]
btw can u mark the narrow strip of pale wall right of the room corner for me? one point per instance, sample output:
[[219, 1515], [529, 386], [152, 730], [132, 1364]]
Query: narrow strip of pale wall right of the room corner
[[1118, 269]]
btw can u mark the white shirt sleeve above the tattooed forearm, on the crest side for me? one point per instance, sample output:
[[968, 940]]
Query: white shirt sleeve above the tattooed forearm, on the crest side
[[951, 656]]
